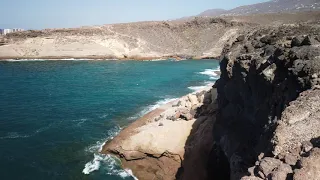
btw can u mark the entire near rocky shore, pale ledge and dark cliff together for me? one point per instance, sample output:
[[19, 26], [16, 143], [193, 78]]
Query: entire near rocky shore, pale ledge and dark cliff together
[[260, 121]]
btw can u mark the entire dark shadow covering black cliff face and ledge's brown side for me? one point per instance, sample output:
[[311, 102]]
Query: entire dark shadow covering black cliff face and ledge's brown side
[[237, 126]]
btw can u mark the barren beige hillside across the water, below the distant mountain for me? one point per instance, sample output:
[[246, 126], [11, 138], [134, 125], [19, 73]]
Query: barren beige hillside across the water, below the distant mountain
[[198, 37]]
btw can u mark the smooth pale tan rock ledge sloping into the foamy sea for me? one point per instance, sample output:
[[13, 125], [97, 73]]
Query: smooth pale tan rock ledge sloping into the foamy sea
[[155, 146]]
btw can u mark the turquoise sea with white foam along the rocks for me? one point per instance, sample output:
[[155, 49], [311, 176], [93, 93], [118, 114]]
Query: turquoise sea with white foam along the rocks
[[55, 115]]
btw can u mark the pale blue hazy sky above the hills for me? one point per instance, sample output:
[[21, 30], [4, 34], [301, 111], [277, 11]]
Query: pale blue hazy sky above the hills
[[40, 14]]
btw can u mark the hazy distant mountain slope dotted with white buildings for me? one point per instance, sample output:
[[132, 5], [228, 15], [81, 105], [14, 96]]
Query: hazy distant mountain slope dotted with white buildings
[[274, 6]]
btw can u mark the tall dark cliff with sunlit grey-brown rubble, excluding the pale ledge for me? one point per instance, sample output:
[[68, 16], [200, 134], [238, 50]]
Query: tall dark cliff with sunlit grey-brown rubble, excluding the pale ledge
[[268, 122]]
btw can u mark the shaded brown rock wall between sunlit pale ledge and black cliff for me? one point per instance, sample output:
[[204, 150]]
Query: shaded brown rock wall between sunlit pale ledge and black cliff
[[203, 159]]
